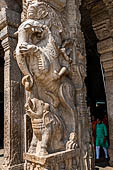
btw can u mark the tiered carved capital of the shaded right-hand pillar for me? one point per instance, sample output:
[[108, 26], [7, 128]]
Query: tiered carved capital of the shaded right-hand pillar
[[105, 46]]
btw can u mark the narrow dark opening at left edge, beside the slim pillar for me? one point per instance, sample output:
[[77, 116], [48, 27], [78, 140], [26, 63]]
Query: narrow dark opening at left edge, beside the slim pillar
[[1, 96]]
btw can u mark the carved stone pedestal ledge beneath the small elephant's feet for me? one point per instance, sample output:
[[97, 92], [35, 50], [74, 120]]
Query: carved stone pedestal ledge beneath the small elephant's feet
[[58, 161]]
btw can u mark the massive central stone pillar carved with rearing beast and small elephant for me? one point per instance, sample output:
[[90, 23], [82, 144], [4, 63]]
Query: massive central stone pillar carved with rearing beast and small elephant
[[50, 53]]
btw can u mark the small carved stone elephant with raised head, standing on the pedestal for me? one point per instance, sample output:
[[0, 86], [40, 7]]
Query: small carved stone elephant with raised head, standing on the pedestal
[[47, 127]]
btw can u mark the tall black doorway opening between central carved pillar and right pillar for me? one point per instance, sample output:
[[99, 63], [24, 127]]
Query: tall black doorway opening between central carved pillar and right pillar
[[95, 80]]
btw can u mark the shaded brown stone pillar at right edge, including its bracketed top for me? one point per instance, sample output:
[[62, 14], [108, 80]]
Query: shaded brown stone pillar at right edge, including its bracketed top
[[103, 27]]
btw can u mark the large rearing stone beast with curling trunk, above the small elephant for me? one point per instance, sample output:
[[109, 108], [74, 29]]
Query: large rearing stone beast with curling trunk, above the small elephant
[[44, 62]]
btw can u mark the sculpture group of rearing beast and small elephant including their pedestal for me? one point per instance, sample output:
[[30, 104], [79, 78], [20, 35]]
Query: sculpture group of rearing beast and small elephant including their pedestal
[[44, 54]]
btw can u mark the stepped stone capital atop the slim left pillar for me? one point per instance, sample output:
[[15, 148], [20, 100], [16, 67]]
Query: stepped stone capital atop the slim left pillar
[[9, 22]]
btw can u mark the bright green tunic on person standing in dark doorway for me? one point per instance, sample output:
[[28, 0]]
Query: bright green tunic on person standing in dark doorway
[[101, 133]]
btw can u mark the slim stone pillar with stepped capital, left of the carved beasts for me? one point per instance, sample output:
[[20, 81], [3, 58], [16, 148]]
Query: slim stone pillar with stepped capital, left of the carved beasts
[[13, 113]]
